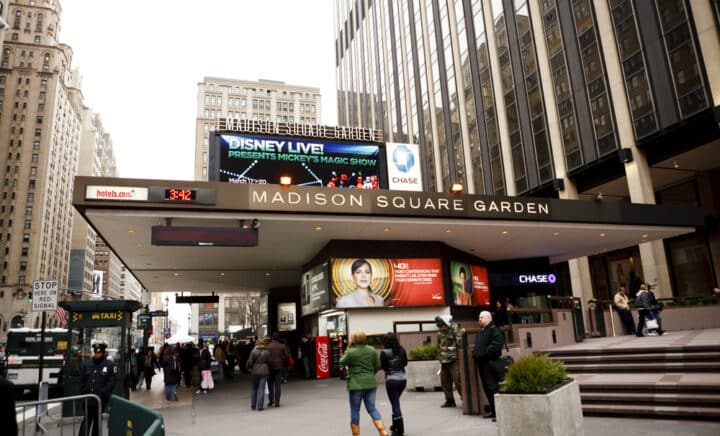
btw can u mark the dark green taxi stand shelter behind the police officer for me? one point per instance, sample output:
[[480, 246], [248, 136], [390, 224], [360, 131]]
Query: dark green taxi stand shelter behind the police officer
[[90, 322]]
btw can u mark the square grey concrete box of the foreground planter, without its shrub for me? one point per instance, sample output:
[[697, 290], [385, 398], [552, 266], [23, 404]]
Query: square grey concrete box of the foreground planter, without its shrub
[[557, 413]]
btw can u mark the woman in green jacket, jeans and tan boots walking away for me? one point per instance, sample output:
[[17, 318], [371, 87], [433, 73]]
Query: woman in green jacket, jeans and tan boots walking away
[[362, 363]]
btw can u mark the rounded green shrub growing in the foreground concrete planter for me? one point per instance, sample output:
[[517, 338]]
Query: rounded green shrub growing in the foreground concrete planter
[[534, 374]]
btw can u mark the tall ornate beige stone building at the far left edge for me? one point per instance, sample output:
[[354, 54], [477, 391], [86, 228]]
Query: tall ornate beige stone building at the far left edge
[[40, 122]]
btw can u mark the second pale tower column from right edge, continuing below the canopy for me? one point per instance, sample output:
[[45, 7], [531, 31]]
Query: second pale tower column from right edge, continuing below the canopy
[[637, 172]]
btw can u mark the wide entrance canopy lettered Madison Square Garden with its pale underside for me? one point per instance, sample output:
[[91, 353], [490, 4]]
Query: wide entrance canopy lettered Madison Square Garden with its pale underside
[[276, 230]]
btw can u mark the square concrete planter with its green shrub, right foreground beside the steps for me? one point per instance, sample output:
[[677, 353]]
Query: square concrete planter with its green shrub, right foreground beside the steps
[[538, 398]]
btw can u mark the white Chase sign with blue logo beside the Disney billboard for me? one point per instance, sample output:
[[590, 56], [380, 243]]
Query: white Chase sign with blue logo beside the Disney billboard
[[403, 167]]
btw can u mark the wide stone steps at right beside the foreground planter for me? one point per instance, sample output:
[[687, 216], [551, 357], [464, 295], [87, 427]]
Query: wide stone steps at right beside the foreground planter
[[679, 382]]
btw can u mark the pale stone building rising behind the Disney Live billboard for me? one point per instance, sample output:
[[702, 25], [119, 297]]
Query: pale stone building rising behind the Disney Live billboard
[[264, 100]]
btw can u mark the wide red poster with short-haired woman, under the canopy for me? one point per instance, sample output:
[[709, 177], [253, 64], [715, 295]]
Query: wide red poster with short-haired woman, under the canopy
[[366, 282]]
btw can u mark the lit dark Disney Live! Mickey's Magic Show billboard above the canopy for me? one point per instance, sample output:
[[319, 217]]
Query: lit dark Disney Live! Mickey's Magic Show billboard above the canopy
[[310, 162]]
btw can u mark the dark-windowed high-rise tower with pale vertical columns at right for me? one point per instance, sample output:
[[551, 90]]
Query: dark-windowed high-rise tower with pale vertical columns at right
[[612, 100]]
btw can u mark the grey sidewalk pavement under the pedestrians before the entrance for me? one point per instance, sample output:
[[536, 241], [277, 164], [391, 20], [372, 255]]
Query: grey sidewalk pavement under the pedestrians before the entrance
[[320, 407]]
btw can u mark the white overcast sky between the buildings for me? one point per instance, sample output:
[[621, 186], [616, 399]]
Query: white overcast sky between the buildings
[[141, 62]]
